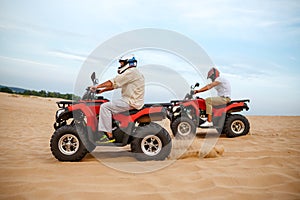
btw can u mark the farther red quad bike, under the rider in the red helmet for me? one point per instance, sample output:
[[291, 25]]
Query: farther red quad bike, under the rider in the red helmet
[[188, 114]]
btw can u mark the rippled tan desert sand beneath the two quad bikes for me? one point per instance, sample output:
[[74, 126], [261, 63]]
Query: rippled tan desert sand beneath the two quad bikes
[[264, 164]]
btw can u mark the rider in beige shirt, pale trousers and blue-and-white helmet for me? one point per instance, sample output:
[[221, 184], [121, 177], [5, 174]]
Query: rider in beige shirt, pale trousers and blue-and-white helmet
[[132, 83]]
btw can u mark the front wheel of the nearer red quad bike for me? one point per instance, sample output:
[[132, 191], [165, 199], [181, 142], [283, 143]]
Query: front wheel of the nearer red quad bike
[[66, 144]]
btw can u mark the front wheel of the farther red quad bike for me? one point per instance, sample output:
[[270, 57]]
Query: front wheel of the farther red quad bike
[[183, 128]]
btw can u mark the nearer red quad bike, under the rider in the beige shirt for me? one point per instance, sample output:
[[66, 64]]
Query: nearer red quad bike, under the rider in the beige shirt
[[76, 129]]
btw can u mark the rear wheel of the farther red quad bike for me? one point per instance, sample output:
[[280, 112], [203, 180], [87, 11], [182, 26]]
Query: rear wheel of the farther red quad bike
[[236, 125]]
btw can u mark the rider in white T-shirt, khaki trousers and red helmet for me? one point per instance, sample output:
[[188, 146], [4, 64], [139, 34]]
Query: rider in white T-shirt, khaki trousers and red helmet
[[223, 88]]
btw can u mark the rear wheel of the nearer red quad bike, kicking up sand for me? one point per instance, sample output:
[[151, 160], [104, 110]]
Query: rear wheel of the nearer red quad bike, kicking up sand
[[151, 142]]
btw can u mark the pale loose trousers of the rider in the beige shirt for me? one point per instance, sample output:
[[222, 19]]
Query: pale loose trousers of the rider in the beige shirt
[[107, 110]]
